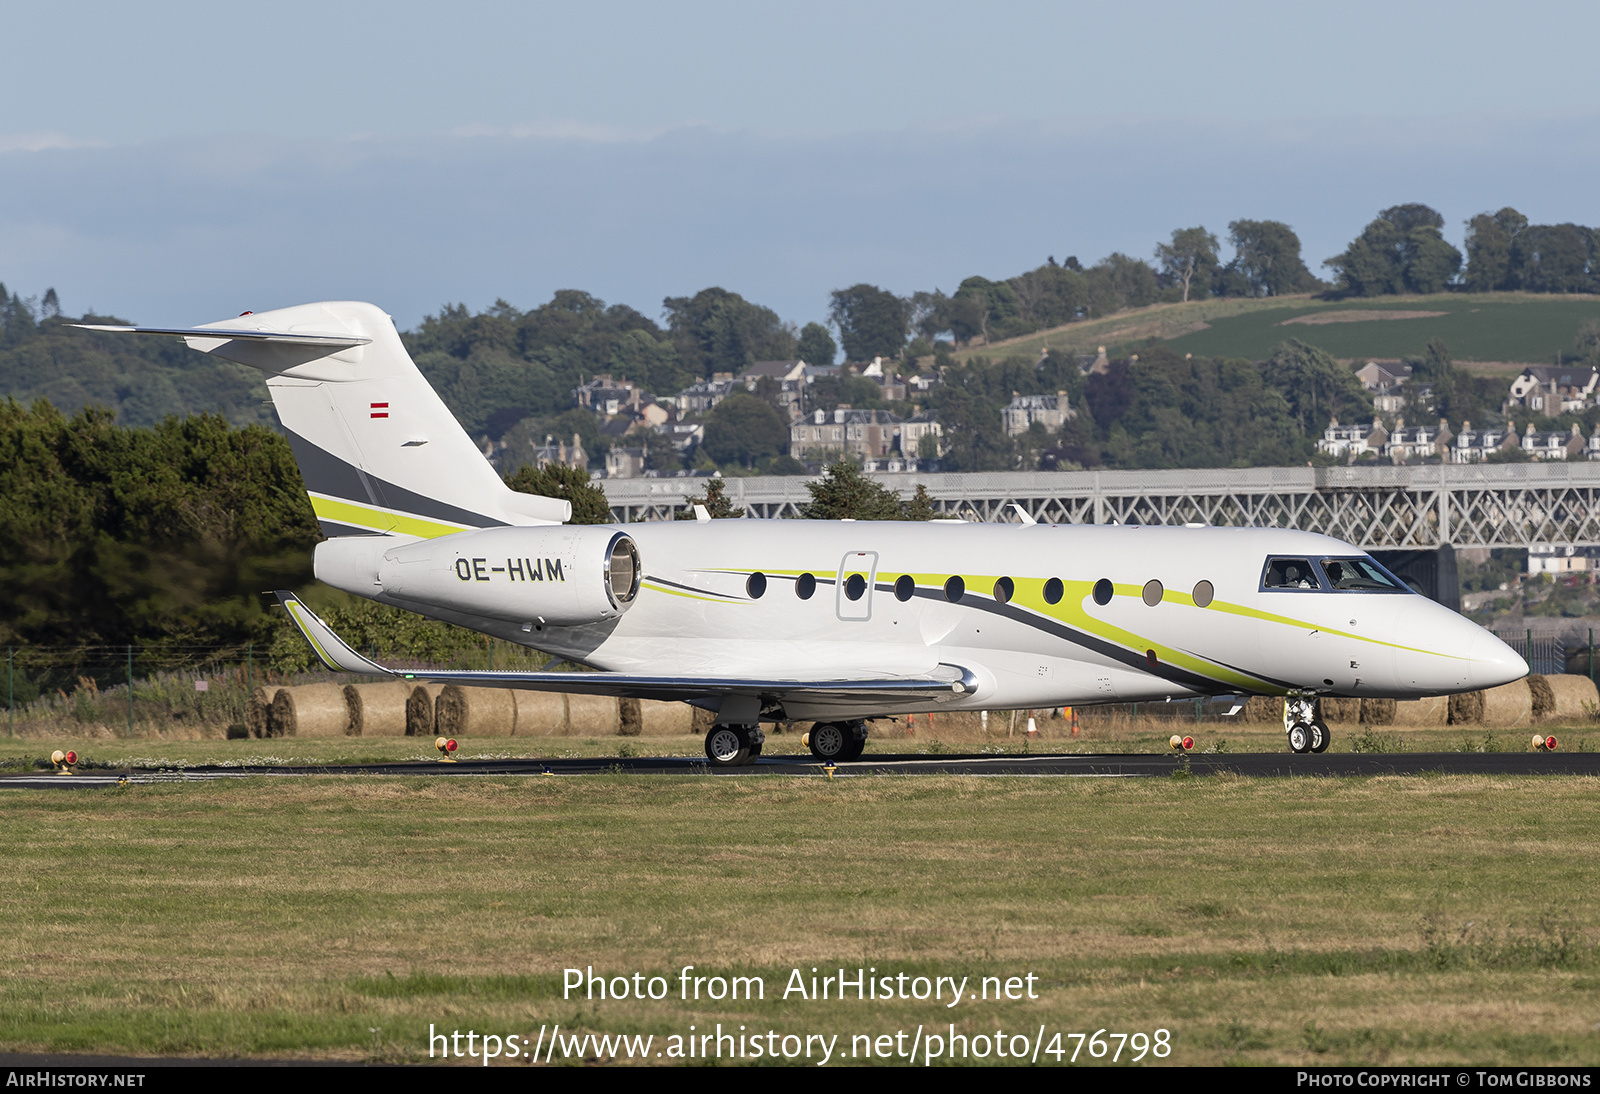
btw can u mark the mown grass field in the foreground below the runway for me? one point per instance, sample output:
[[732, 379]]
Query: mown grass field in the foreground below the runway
[[1278, 922]]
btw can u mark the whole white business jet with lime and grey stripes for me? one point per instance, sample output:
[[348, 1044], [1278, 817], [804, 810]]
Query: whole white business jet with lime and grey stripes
[[825, 621]]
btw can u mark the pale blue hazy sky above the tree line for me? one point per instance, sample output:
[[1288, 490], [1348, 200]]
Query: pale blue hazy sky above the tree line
[[185, 162]]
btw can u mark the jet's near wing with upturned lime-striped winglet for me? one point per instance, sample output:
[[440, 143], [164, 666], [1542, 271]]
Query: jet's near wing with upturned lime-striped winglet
[[948, 684]]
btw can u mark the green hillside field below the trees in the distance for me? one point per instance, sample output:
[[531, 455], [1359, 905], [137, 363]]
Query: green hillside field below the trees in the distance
[[1487, 327]]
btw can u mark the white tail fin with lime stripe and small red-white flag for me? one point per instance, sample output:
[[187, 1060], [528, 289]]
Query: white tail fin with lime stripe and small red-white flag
[[378, 450]]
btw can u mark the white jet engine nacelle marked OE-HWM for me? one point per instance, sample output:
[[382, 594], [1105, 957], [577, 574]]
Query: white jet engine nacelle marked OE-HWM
[[550, 575]]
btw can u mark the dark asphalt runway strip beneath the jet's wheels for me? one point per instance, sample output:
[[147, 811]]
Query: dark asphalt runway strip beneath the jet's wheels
[[1062, 765]]
